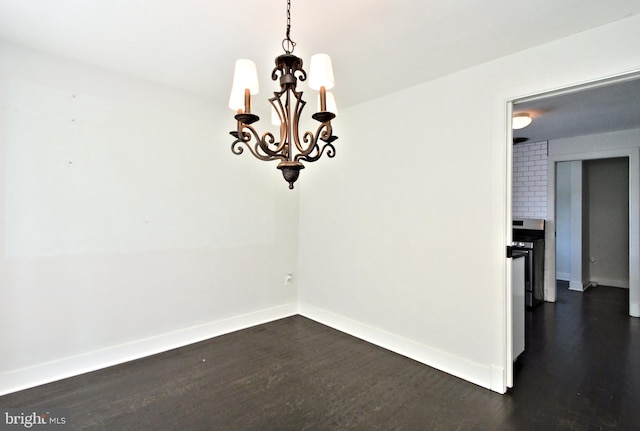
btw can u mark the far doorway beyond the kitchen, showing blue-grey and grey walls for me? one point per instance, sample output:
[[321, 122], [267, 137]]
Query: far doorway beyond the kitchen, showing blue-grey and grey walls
[[592, 223]]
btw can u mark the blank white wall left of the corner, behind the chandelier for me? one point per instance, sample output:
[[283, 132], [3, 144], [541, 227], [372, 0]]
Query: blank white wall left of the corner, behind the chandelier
[[128, 226]]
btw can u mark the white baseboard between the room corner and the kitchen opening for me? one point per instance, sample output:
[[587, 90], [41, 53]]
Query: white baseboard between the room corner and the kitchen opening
[[481, 375]]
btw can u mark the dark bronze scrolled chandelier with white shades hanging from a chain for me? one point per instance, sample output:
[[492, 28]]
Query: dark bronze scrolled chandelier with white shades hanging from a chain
[[287, 105]]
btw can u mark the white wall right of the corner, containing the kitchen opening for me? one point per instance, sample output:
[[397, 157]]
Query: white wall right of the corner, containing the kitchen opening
[[403, 241]]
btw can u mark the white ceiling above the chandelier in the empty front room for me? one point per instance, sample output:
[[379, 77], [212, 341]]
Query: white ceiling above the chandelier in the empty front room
[[377, 47]]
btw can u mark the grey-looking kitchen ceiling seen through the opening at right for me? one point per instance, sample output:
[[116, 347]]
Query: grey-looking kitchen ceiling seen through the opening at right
[[599, 109]]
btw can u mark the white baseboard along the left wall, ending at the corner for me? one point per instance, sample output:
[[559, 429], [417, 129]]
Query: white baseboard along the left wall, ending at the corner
[[25, 378]]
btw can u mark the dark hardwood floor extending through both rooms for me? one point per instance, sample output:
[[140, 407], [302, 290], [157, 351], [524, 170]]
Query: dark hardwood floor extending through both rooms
[[580, 371]]
